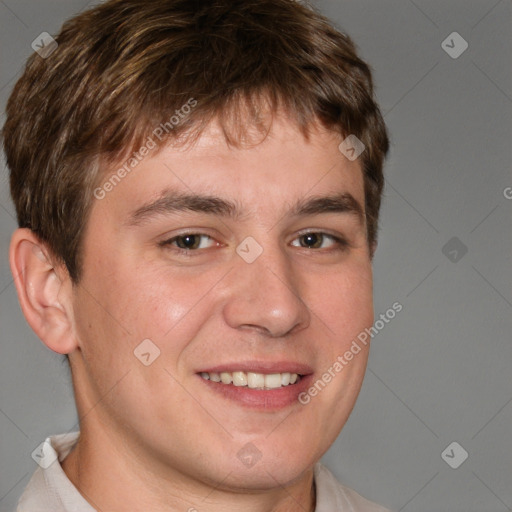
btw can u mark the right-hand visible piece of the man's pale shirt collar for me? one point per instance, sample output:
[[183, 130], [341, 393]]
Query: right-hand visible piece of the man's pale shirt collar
[[334, 497]]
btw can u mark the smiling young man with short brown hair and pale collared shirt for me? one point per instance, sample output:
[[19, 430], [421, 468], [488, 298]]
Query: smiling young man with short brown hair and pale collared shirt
[[197, 186]]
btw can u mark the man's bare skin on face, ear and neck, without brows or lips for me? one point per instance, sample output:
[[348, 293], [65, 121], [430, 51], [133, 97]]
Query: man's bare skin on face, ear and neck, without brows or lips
[[156, 437]]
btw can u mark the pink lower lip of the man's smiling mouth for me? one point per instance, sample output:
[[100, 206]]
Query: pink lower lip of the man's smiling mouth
[[262, 399]]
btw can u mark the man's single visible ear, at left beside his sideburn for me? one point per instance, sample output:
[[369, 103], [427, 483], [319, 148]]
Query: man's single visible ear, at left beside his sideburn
[[44, 291]]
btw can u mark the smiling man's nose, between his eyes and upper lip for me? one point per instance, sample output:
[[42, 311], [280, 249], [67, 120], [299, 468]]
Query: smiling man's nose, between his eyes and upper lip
[[265, 296]]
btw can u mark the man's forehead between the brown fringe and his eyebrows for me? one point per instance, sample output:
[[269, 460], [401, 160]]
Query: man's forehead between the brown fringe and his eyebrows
[[264, 175]]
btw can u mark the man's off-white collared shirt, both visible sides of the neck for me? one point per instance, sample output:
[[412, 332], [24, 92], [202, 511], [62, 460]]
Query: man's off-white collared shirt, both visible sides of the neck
[[50, 490]]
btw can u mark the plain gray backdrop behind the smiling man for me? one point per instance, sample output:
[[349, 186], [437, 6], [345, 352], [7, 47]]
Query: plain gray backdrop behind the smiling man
[[440, 371]]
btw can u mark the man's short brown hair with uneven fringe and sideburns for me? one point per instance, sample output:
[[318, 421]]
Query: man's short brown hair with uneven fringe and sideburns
[[125, 66]]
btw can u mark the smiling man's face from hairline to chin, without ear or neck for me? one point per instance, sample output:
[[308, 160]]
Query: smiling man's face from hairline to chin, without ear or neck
[[248, 264]]
